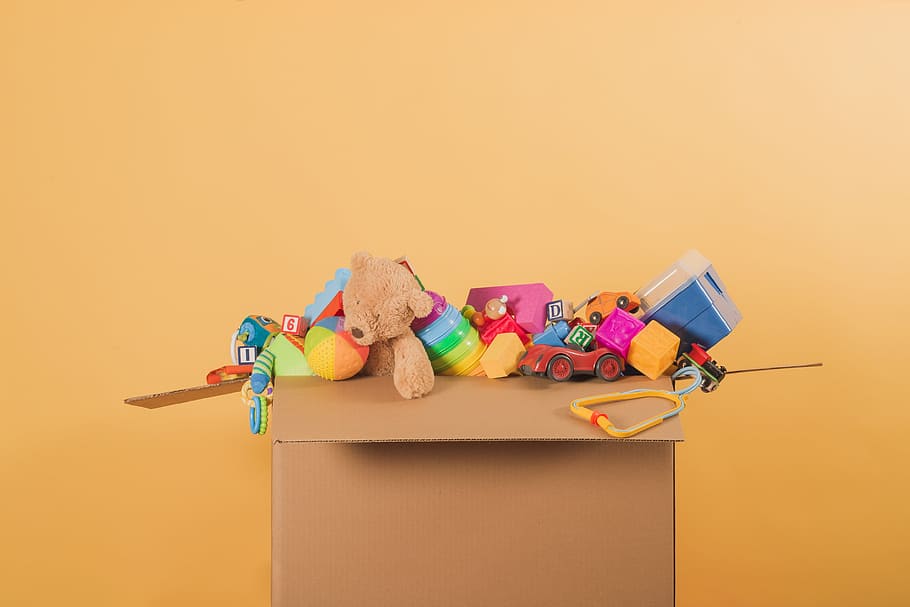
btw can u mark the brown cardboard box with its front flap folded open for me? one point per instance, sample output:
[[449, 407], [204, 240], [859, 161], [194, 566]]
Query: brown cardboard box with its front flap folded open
[[485, 492]]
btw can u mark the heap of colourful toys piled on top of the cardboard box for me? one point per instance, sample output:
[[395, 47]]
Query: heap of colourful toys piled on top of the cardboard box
[[377, 318]]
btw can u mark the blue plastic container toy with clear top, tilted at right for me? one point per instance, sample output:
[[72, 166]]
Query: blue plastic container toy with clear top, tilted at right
[[690, 300]]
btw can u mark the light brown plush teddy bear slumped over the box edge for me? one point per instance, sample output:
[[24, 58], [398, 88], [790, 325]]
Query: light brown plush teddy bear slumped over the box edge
[[380, 300]]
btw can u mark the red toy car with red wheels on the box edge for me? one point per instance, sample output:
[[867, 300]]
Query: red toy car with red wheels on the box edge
[[561, 364]]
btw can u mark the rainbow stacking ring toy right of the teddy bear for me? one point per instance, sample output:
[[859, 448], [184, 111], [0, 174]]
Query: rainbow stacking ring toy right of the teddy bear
[[451, 343]]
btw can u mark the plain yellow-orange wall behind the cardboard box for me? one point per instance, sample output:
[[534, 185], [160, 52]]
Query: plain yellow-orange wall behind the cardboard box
[[168, 167]]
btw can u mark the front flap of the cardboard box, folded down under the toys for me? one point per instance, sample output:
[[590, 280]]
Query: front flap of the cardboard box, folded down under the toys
[[369, 409]]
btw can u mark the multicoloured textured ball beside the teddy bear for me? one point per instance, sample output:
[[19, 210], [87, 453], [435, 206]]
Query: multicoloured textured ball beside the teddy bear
[[331, 352]]
